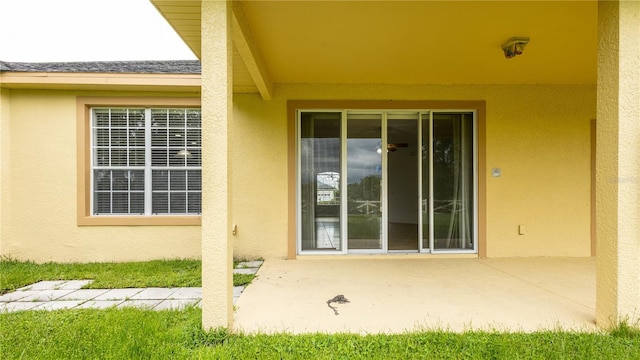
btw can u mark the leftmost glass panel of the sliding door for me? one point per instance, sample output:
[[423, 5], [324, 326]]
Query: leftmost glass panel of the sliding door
[[320, 181]]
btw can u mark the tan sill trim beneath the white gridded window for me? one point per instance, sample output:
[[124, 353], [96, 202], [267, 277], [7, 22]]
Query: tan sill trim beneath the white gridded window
[[194, 220]]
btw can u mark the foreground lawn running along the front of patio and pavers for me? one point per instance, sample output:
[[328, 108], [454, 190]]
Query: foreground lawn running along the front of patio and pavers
[[134, 333]]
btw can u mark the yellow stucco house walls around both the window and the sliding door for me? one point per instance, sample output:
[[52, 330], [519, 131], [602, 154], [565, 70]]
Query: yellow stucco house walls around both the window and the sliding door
[[538, 135]]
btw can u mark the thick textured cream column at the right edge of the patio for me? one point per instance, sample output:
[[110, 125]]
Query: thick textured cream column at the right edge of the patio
[[618, 164]]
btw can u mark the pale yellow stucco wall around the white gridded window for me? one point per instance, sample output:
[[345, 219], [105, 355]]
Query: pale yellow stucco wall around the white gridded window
[[41, 224]]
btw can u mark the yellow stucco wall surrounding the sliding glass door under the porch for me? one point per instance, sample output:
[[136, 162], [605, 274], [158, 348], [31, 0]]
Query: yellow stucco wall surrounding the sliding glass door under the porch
[[539, 136]]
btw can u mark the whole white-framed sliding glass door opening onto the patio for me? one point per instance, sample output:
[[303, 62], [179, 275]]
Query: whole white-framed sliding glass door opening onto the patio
[[386, 181]]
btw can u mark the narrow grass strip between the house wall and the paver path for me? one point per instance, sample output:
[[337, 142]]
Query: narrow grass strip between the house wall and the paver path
[[15, 274]]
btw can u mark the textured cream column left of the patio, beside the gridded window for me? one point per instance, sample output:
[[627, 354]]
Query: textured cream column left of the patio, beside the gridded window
[[217, 248]]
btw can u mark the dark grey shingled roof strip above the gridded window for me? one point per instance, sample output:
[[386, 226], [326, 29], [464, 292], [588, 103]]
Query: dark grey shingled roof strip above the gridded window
[[122, 67]]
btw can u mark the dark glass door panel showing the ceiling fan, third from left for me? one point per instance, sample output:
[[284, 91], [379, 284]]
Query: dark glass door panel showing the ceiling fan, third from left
[[403, 154]]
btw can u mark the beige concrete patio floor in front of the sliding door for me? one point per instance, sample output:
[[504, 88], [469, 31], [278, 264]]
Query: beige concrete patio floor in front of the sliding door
[[395, 294]]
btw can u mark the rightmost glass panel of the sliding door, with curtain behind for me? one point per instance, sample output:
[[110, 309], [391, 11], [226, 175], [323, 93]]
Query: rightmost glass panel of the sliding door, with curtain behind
[[452, 178]]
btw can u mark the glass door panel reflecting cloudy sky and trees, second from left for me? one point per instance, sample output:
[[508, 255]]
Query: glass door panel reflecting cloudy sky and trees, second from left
[[364, 181]]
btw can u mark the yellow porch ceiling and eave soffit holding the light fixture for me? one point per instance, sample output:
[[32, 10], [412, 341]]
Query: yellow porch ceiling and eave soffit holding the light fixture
[[409, 42]]
